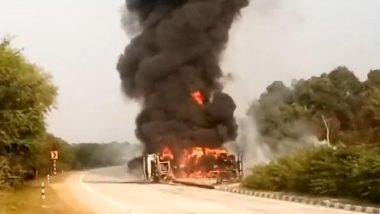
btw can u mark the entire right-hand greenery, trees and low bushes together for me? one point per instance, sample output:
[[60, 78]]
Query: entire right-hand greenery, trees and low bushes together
[[335, 107]]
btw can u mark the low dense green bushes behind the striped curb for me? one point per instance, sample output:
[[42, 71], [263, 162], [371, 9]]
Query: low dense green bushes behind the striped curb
[[340, 172]]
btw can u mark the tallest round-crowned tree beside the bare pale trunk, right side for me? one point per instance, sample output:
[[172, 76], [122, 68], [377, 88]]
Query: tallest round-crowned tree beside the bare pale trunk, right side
[[337, 96]]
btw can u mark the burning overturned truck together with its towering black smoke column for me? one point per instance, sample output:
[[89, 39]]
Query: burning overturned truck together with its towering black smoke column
[[172, 68]]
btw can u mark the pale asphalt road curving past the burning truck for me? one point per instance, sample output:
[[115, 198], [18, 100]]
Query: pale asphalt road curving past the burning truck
[[112, 191]]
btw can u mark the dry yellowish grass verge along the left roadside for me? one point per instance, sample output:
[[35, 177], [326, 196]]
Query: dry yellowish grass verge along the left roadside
[[28, 200]]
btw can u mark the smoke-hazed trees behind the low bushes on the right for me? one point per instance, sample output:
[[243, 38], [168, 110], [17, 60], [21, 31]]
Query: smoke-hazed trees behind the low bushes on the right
[[336, 102]]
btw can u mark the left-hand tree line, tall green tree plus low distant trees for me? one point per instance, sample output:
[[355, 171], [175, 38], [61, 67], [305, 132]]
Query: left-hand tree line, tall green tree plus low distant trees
[[27, 94]]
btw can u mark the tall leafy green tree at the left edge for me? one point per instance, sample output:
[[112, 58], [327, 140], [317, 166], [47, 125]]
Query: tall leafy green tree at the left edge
[[26, 95]]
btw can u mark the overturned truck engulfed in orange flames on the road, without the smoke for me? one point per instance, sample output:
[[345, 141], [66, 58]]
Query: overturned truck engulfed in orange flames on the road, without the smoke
[[196, 162]]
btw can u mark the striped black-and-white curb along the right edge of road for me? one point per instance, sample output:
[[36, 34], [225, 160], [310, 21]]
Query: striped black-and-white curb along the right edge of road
[[303, 200]]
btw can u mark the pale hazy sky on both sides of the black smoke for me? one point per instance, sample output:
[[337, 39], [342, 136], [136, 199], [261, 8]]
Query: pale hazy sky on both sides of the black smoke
[[78, 42]]
